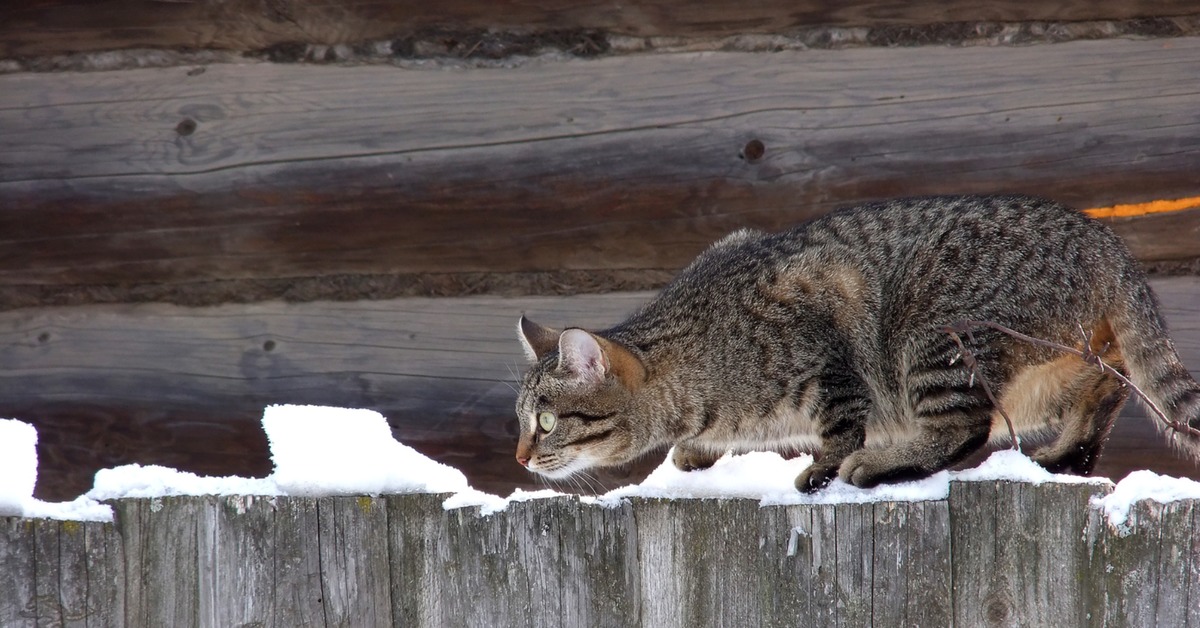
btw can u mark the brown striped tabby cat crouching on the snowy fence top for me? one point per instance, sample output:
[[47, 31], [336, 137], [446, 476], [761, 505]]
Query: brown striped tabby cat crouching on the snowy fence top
[[832, 337]]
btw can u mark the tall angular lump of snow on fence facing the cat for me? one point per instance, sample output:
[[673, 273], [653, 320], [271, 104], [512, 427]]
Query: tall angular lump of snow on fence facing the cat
[[323, 451]]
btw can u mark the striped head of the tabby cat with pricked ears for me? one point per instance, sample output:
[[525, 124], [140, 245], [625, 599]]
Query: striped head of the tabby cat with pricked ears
[[575, 403]]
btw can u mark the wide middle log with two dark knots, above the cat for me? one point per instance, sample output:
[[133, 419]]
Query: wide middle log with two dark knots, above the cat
[[340, 176]]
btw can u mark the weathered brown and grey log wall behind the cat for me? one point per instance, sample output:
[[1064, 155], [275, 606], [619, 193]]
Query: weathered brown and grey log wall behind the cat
[[239, 154]]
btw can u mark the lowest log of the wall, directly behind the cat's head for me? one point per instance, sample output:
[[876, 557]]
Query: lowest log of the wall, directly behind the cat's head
[[185, 387]]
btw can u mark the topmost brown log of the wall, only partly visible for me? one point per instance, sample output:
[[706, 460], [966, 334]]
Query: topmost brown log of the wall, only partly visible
[[57, 27]]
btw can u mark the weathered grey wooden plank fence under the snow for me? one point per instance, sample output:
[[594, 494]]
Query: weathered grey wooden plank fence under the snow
[[993, 554]]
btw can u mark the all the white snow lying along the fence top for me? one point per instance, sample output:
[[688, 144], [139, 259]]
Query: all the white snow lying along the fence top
[[323, 451]]
